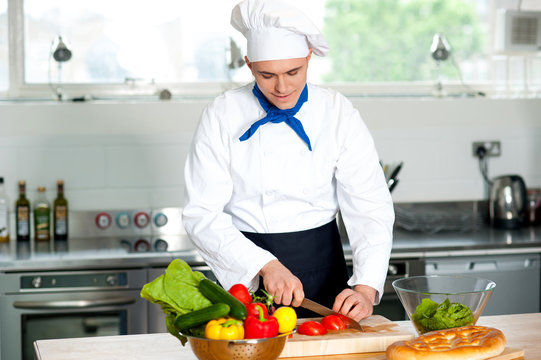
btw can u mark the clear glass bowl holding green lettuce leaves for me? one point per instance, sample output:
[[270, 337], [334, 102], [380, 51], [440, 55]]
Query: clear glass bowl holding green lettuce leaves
[[436, 302]]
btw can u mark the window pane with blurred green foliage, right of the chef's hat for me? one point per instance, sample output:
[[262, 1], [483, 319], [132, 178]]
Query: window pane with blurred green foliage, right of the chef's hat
[[389, 40]]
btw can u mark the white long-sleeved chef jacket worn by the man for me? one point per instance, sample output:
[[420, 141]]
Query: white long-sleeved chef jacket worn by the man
[[272, 183]]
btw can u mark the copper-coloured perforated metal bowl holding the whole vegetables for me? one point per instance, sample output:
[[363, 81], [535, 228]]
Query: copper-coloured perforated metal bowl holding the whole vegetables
[[263, 349]]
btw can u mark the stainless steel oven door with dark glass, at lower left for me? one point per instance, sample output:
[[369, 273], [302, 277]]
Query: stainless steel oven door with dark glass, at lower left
[[30, 317]]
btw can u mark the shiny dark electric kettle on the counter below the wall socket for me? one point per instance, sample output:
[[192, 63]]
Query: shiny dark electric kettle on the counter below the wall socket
[[508, 202]]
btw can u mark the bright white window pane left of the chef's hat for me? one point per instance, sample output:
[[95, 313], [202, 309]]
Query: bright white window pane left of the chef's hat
[[164, 41]]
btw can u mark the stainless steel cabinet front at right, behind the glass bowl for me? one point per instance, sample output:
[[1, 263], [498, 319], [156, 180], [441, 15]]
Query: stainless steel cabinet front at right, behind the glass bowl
[[517, 278]]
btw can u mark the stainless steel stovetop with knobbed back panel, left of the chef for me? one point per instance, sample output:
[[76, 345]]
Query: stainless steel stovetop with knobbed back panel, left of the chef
[[119, 237]]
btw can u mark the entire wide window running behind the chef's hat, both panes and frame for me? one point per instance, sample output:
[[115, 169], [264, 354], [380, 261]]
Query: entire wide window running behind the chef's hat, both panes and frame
[[123, 47]]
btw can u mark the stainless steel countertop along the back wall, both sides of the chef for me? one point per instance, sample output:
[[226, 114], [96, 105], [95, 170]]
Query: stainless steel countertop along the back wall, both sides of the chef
[[406, 244]]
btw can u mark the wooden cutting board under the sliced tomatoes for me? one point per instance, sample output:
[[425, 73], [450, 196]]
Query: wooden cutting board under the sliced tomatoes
[[379, 332]]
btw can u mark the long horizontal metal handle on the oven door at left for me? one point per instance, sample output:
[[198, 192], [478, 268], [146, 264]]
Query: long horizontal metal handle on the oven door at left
[[73, 304]]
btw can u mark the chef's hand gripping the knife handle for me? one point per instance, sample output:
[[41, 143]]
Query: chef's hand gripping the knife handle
[[282, 284]]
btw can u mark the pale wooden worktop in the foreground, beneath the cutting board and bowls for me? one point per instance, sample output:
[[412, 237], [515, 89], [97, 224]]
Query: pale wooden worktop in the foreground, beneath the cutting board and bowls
[[521, 331]]
